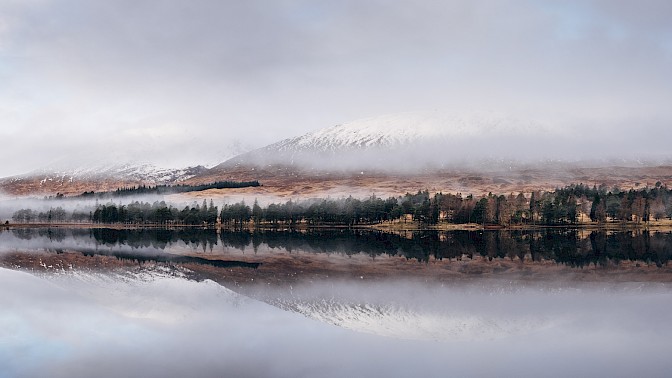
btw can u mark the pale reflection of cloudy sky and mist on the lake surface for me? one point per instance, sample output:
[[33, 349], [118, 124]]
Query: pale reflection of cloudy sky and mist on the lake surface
[[155, 324]]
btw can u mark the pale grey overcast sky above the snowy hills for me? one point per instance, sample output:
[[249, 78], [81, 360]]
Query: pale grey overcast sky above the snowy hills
[[194, 82]]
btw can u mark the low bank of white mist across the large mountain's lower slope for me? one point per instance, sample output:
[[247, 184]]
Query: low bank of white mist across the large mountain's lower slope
[[501, 156]]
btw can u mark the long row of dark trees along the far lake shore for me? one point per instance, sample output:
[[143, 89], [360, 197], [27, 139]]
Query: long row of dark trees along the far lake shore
[[565, 206]]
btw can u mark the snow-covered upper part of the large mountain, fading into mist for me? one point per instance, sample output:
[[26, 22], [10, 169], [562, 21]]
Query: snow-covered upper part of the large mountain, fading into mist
[[411, 140]]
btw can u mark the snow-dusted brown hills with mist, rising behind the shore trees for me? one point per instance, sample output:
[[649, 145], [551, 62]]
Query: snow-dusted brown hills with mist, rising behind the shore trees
[[436, 150]]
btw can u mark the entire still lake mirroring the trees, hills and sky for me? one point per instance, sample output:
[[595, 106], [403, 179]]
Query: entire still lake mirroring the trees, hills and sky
[[332, 303]]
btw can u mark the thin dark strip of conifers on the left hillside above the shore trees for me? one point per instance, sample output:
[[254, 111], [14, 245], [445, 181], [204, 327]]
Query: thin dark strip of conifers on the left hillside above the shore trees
[[171, 189]]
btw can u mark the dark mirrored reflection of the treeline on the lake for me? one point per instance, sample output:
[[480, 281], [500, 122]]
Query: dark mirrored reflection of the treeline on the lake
[[572, 247]]
